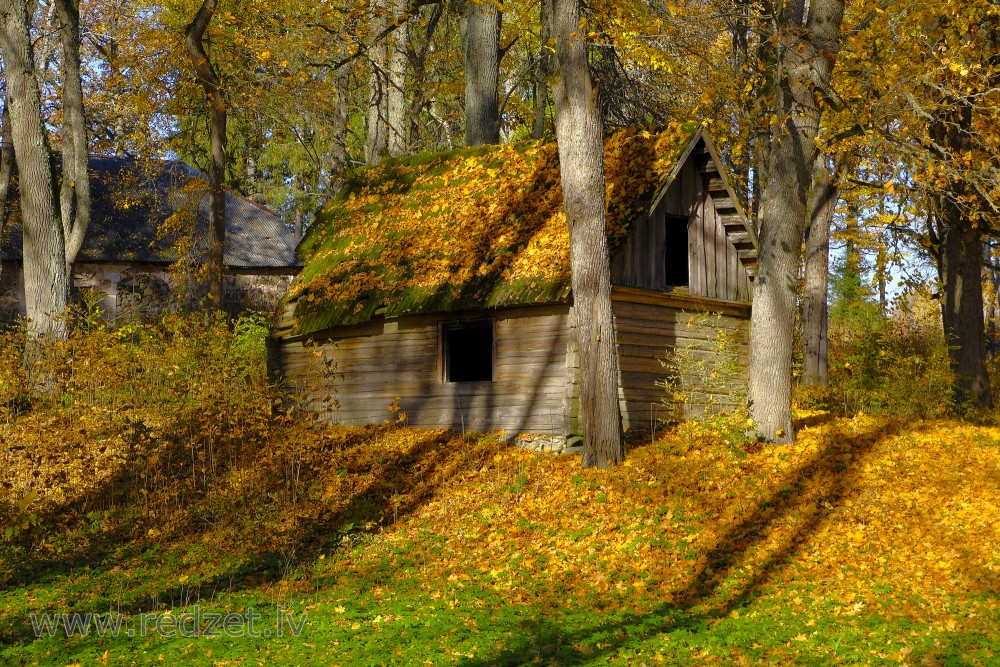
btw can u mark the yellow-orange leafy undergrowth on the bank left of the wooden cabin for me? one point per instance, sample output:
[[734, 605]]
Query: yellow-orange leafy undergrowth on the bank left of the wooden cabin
[[151, 415]]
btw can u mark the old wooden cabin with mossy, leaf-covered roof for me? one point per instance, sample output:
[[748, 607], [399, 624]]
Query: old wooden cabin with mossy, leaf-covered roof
[[436, 289]]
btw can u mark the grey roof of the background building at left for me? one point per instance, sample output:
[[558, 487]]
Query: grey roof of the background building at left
[[132, 198]]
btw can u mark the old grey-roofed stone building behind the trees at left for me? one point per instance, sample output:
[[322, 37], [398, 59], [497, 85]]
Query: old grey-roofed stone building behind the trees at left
[[146, 216]]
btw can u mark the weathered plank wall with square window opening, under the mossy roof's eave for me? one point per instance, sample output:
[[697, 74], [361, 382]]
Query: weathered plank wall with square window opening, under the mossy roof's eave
[[352, 374]]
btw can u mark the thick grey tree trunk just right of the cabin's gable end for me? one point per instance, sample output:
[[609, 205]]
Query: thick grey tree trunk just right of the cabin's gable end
[[806, 61]]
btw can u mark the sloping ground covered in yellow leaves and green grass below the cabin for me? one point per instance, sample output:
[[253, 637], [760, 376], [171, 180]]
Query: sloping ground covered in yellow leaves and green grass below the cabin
[[867, 542]]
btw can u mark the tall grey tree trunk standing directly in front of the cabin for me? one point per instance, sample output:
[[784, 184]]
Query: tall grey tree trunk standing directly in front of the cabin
[[580, 136]]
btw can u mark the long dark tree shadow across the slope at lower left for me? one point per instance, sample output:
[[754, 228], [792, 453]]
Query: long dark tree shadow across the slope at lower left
[[394, 485]]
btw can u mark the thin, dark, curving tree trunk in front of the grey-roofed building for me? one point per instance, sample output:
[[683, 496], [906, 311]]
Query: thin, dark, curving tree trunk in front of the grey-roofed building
[[195, 36]]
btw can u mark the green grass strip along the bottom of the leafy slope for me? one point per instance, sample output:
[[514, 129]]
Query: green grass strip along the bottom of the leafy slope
[[394, 611]]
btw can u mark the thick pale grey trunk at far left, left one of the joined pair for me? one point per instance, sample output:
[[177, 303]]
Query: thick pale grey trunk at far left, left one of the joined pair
[[45, 285]]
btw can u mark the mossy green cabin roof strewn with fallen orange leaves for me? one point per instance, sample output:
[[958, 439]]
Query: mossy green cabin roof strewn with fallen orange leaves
[[479, 227]]
